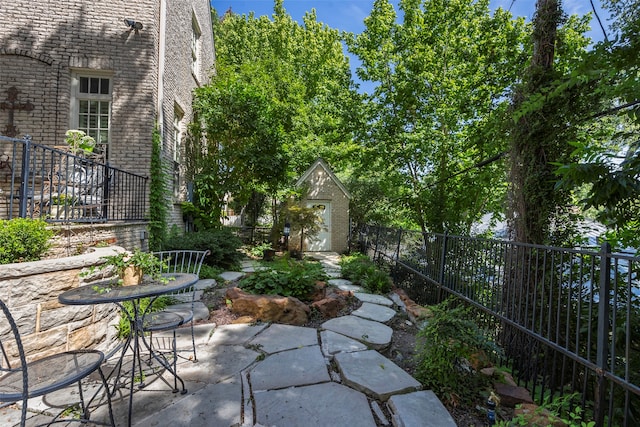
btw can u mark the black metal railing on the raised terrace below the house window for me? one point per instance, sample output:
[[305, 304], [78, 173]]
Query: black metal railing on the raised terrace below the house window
[[38, 181]]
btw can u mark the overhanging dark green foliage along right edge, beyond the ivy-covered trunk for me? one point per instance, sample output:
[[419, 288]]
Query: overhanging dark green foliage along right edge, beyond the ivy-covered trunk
[[607, 164]]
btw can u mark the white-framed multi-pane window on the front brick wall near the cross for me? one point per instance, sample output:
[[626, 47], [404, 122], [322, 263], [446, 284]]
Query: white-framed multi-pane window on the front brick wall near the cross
[[77, 97]]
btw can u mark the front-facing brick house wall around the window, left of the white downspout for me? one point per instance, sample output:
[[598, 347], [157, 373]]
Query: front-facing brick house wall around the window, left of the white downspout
[[44, 42]]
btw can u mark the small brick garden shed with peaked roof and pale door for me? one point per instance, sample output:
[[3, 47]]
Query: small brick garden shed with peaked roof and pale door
[[329, 195]]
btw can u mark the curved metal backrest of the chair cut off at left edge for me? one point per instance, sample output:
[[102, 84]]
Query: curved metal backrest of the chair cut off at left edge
[[10, 344]]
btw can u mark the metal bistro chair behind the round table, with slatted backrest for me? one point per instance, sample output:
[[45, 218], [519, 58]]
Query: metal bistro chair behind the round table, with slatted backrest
[[174, 316]]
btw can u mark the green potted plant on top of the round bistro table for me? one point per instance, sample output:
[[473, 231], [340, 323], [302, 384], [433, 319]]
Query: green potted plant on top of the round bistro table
[[132, 266]]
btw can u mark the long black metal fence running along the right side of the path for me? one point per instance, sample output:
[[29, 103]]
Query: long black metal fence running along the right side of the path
[[567, 319]]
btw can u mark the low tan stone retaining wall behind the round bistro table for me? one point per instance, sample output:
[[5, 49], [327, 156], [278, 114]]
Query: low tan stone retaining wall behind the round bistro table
[[31, 290]]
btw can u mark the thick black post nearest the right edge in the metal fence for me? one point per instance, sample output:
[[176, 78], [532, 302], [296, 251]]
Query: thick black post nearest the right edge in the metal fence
[[603, 331]]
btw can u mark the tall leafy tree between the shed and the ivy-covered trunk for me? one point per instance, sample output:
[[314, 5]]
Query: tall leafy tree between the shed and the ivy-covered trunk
[[442, 74]]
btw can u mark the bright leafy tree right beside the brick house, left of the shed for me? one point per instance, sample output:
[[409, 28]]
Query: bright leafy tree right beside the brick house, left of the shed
[[282, 96]]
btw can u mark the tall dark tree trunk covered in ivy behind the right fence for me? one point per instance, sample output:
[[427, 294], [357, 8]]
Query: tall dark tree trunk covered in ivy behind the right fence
[[548, 107]]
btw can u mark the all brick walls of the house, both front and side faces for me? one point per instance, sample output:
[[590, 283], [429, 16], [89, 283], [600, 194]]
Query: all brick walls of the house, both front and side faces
[[43, 43]]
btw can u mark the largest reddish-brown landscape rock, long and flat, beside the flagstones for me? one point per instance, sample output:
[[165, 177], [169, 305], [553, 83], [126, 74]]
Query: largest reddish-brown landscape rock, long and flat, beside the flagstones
[[268, 308]]
